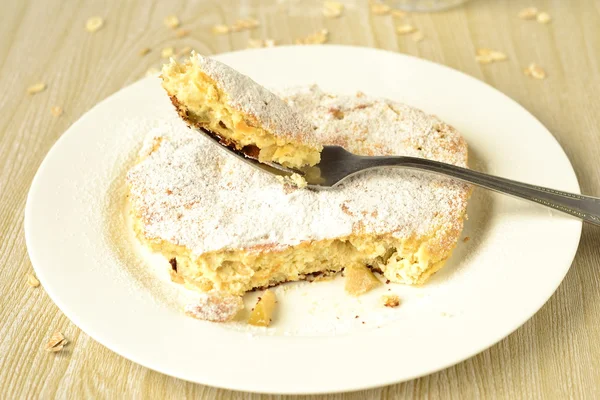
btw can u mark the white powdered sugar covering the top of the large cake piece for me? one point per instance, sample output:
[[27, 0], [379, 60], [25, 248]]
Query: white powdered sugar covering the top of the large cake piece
[[191, 193]]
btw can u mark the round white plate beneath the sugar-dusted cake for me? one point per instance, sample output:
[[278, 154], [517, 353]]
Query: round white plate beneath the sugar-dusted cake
[[96, 273]]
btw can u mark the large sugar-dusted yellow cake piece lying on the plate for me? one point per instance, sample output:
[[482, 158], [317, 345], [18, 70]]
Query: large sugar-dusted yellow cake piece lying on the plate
[[232, 228]]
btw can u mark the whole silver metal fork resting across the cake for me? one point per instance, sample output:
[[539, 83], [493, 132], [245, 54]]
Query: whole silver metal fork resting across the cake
[[338, 164]]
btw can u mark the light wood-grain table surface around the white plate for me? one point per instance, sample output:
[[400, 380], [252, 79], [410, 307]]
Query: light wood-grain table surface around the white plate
[[553, 355]]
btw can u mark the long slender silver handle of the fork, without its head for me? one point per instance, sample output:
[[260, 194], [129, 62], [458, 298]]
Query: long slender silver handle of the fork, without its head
[[586, 208]]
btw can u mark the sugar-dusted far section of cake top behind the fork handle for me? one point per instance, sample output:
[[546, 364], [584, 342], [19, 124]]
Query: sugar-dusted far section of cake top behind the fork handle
[[375, 126]]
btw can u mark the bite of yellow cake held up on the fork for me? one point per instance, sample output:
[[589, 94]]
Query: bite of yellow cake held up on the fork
[[239, 112]]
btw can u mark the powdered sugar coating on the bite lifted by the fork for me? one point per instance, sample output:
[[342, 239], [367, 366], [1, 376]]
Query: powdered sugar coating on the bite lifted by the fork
[[245, 95]]
